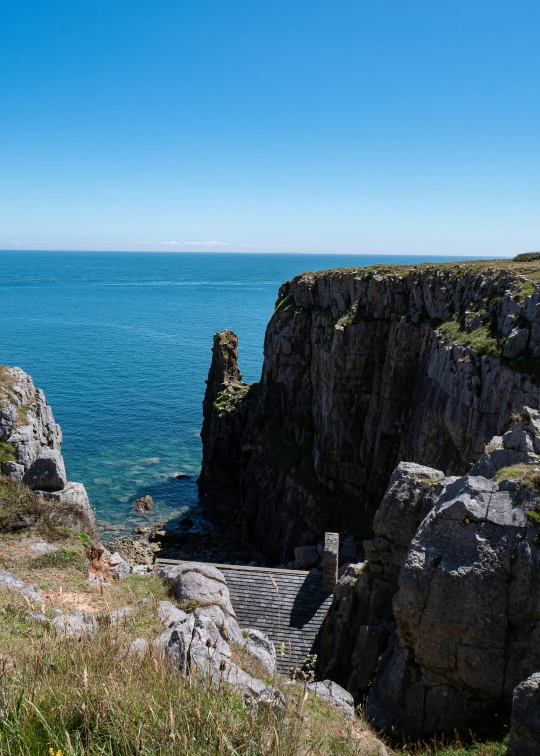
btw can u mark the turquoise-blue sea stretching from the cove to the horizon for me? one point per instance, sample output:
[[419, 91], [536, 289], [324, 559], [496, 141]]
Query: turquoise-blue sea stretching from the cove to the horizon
[[120, 343]]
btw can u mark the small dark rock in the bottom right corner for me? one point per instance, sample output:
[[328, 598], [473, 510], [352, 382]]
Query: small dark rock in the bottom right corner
[[525, 730]]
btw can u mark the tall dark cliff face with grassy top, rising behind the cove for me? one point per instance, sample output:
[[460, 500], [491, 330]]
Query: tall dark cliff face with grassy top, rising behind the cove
[[362, 369]]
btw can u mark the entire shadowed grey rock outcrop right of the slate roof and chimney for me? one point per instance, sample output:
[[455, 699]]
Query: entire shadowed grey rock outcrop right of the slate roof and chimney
[[441, 622]]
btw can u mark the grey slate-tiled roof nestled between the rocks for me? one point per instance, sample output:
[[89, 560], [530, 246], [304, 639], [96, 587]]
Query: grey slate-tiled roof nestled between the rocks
[[290, 616]]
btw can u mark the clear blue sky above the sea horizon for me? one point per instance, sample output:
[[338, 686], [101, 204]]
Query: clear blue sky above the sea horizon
[[380, 126]]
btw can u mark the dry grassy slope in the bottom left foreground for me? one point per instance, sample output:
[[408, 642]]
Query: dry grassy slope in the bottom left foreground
[[87, 697]]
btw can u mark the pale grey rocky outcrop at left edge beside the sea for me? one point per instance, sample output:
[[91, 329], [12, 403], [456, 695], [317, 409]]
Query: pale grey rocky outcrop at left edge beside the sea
[[28, 430]]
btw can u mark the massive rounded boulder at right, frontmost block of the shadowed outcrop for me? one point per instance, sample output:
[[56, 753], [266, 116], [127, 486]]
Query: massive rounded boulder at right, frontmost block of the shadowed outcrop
[[466, 614]]
